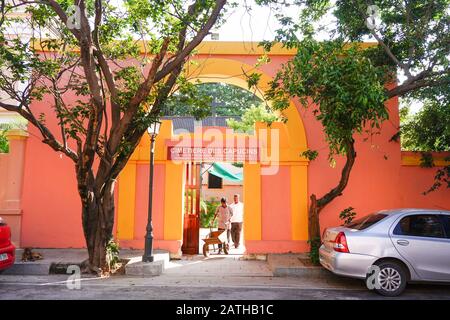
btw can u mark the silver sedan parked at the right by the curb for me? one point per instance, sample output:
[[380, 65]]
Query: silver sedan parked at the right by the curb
[[390, 248]]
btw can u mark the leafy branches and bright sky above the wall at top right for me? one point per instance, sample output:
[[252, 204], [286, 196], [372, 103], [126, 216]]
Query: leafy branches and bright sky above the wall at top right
[[413, 36]]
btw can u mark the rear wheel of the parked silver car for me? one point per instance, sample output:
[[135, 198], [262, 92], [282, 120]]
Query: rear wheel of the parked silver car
[[391, 279]]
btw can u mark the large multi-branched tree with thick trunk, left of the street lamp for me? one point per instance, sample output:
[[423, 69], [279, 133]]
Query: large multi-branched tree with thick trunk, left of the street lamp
[[121, 61]]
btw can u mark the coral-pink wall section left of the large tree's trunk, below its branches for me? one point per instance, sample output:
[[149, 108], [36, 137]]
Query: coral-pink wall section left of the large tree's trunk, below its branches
[[51, 206]]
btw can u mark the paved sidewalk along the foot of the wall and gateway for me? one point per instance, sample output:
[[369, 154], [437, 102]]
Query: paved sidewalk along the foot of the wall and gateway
[[215, 265]]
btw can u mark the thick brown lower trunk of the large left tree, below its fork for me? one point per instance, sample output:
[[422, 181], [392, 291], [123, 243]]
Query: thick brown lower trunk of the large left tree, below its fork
[[98, 220]]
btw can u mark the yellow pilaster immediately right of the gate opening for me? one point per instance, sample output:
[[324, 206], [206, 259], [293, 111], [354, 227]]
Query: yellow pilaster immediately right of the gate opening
[[252, 208]]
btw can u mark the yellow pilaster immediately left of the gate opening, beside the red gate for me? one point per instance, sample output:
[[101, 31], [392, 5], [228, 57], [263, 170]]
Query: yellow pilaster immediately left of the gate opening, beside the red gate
[[174, 201]]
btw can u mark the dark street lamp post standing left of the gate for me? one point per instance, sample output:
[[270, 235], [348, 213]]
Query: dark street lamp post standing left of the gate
[[153, 131]]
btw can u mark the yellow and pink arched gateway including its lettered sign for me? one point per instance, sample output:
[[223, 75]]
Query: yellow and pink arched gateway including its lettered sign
[[275, 175]]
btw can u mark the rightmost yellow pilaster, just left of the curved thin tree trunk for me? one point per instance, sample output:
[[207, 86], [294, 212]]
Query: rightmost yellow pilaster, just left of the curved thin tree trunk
[[299, 202]]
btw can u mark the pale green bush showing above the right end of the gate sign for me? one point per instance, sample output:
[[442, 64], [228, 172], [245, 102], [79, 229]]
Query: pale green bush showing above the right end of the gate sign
[[258, 113]]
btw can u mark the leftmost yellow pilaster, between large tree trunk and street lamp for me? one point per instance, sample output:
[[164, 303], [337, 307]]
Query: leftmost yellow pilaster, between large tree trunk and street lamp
[[127, 202]]
